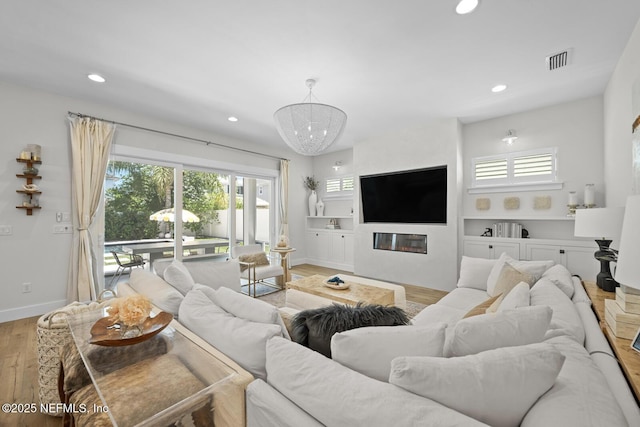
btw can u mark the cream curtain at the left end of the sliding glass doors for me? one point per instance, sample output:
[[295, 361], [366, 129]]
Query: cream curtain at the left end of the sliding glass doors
[[90, 144]]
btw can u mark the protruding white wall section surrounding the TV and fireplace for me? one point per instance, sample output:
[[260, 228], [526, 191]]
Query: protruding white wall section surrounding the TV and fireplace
[[435, 143]]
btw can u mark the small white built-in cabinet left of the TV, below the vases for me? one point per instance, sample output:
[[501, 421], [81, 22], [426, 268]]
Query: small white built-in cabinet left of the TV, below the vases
[[330, 247]]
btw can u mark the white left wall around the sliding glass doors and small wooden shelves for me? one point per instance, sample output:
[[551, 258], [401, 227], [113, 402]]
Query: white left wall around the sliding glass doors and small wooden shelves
[[33, 253]]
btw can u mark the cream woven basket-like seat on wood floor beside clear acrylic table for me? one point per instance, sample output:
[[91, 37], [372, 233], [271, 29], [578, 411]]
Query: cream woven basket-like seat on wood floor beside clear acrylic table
[[52, 334]]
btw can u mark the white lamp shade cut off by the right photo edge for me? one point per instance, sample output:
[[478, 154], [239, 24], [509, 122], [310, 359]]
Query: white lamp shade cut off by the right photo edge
[[628, 269]]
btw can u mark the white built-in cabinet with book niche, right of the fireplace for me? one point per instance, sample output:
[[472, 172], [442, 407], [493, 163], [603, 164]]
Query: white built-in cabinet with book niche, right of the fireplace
[[576, 255]]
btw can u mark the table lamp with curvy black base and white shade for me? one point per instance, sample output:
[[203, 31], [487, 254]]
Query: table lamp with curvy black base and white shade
[[604, 224]]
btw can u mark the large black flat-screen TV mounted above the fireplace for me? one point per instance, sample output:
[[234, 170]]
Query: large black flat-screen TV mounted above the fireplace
[[413, 196]]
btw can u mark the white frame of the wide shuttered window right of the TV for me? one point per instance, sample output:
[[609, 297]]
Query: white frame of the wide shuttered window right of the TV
[[516, 183]]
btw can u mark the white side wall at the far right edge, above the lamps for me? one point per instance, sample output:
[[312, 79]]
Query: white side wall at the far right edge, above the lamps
[[618, 117]]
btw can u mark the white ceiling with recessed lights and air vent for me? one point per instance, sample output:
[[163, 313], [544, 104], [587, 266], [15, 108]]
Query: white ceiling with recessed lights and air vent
[[388, 64]]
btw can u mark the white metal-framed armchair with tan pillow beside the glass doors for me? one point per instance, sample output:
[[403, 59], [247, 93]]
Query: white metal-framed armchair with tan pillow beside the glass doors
[[255, 265]]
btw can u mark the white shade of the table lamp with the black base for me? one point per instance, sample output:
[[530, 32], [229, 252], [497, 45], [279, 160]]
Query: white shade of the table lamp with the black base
[[599, 222]]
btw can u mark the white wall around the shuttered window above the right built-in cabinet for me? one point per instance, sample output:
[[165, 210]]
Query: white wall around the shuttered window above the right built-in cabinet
[[575, 128]]
